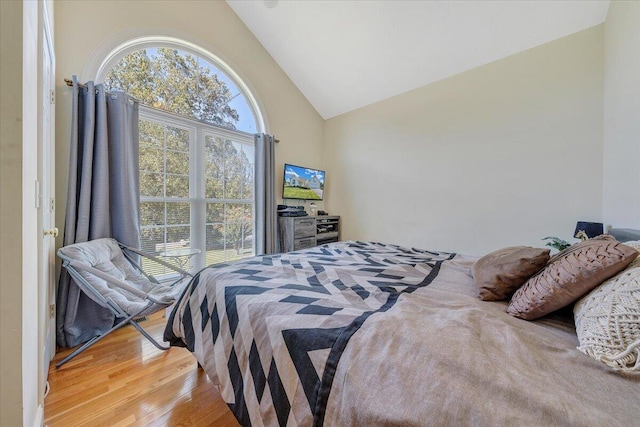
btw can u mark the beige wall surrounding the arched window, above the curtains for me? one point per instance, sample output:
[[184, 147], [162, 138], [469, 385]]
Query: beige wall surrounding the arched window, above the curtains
[[86, 28]]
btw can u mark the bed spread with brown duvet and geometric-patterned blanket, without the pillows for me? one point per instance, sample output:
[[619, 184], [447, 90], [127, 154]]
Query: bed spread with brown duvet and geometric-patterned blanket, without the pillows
[[369, 334]]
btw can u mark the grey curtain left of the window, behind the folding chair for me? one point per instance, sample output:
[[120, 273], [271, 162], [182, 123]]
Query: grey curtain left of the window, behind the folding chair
[[102, 198]]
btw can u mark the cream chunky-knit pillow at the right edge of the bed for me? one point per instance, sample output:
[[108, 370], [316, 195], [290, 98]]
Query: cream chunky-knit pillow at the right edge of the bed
[[608, 319]]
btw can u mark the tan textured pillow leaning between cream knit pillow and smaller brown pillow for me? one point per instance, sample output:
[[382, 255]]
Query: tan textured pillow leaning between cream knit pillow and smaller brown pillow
[[569, 275]]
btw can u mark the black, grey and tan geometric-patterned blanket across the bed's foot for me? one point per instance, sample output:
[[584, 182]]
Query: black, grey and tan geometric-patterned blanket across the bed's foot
[[271, 330]]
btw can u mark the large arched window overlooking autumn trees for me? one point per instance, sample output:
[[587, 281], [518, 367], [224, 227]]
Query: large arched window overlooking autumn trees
[[196, 153]]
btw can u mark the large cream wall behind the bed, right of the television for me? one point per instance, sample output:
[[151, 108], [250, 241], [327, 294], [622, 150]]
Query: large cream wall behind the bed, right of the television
[[504, 154]]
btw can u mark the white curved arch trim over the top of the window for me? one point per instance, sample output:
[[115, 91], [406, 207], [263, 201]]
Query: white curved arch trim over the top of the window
[[145, 42]]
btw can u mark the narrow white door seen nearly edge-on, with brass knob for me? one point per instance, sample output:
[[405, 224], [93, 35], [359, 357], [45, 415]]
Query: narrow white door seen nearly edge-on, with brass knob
[[46, 205]]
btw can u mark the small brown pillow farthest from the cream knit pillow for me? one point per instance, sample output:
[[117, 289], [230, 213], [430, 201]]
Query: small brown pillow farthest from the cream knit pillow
[[498, 274]]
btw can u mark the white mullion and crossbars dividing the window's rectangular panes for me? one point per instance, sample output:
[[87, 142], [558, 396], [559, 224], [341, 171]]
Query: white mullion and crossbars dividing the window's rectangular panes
[[197, 132]]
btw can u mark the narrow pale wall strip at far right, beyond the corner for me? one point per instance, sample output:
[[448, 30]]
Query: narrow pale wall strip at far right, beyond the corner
[[622, 115]]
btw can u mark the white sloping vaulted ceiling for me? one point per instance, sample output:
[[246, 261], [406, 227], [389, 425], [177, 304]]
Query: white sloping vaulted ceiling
[[343, 55]]
